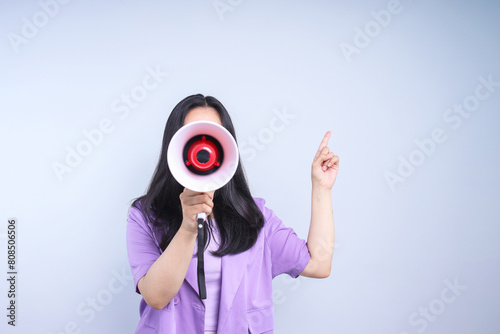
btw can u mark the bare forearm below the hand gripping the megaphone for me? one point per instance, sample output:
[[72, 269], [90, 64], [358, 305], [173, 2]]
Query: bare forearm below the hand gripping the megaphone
[[165, 276]]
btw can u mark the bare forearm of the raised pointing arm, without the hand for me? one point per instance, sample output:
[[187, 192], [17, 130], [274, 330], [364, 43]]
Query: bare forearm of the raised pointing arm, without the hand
[[321, 238]]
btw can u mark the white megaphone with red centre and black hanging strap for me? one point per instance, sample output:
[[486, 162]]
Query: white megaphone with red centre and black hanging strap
[[202, 156]]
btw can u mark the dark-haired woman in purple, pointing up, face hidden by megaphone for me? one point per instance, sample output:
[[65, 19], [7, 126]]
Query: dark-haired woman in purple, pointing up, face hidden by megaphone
[[246, 248]]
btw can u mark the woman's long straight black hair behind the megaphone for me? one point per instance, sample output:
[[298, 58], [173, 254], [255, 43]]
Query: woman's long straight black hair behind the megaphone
[[239, 220]]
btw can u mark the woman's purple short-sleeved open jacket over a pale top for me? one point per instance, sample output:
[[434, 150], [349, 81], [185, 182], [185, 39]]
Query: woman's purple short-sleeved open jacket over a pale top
[[245, 300]]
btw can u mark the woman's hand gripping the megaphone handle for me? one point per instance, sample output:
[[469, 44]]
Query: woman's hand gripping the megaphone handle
[[193, 203]]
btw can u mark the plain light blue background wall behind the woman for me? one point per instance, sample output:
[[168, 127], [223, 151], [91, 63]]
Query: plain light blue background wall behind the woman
[[395, 249]]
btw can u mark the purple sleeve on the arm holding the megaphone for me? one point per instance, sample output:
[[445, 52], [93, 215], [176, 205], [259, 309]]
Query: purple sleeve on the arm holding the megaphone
[[142, 247]]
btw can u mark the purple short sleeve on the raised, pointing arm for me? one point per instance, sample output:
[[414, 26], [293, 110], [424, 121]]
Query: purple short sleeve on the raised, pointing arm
[[289, 253]]
